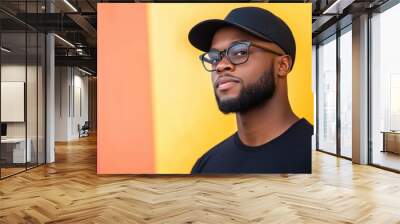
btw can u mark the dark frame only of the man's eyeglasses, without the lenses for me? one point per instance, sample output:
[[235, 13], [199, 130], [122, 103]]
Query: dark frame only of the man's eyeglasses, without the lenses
[[223, 53]]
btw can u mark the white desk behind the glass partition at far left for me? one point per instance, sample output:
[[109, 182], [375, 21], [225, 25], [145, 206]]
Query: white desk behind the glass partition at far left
[[16, 147]]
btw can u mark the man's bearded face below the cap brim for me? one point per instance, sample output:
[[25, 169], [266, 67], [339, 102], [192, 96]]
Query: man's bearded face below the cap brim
[[239, 88]]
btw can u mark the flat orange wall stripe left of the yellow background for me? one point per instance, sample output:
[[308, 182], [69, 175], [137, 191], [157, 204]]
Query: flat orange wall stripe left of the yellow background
[[125, 131]]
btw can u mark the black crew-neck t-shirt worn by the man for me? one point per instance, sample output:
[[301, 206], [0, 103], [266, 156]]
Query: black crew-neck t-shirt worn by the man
[[288, 153]]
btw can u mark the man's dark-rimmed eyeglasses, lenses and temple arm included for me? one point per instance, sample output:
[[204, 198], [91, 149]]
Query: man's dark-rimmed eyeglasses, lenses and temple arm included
[[237, 53]]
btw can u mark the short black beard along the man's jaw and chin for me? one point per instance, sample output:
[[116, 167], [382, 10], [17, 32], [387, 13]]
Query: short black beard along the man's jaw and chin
[[250, 96]]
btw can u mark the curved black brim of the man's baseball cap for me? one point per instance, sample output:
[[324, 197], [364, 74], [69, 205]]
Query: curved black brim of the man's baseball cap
[[201, 35]]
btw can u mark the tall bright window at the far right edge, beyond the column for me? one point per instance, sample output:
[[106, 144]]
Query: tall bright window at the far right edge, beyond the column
[[385, 89]]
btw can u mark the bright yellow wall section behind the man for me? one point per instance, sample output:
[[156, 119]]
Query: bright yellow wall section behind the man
[[187, 121]]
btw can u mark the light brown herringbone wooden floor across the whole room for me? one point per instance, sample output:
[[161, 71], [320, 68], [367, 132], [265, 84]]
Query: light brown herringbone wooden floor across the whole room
[[70, 191]]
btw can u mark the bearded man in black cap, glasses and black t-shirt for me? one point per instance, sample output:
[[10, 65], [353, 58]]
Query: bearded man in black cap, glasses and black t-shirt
[[249, 55]]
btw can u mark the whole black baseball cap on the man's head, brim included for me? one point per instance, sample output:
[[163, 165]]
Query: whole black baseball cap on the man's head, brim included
[[256, 21]]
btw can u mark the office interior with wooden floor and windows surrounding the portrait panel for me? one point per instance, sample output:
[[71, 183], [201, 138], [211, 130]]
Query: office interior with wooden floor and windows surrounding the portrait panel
[[49, 127]]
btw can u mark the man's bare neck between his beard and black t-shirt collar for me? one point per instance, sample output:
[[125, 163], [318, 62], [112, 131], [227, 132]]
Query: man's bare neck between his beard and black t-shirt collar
[[261, 125]]
